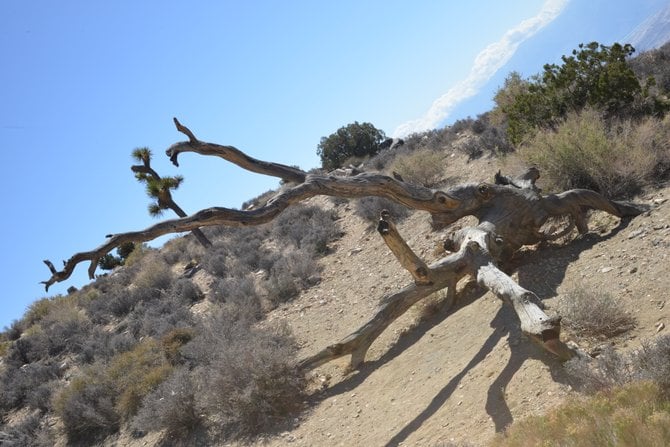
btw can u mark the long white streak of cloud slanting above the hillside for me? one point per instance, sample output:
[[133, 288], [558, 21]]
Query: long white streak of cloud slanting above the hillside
[[486, 64]]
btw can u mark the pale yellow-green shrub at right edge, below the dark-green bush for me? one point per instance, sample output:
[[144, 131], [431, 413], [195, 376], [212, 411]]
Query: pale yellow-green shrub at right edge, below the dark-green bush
[[584, 152]]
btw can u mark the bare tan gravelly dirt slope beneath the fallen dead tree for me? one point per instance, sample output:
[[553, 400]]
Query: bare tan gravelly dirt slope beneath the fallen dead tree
[[462, 376]]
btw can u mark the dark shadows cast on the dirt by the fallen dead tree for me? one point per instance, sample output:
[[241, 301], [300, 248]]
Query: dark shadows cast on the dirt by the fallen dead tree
[[504, 324]]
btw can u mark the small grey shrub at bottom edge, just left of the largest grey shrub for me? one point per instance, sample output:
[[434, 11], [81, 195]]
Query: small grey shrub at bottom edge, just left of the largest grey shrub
[[173, 407]]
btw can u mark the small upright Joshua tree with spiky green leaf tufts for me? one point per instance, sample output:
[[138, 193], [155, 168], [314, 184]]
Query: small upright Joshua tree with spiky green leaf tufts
[[160, 189]]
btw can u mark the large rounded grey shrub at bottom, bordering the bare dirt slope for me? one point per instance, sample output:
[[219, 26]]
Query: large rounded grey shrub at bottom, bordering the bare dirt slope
[[248, 375]]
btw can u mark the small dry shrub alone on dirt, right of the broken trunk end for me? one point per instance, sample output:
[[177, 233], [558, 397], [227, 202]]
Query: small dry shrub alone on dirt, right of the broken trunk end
[[594, 313]]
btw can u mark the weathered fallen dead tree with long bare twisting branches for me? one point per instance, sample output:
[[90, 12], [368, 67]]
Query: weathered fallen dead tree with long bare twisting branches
[[511, 213]]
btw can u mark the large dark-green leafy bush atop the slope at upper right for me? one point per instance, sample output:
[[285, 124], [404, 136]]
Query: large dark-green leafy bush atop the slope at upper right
[[594, 76]]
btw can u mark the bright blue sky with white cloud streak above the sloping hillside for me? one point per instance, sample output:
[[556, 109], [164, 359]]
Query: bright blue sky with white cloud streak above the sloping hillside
[[84, 83]]
